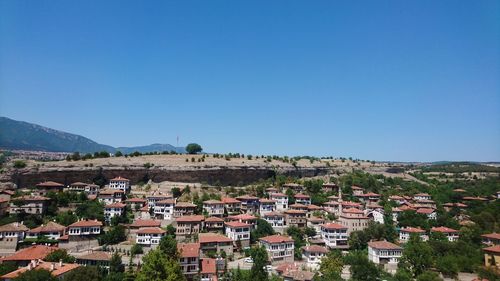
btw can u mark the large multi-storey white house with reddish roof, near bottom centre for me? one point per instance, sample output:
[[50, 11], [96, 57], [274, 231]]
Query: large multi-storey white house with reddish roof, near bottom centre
[[279, 248]]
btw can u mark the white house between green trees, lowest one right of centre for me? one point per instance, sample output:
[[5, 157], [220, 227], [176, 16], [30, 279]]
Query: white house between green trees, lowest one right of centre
[[385, 253]]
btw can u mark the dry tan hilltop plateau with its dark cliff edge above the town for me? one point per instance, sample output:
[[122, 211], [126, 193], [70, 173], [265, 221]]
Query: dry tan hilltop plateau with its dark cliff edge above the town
[[185, 168]]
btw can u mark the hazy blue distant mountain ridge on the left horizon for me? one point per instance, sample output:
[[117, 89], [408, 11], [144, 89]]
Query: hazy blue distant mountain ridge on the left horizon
[[20, 135]]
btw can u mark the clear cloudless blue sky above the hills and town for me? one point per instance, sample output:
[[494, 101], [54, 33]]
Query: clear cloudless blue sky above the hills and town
[[380, 80]]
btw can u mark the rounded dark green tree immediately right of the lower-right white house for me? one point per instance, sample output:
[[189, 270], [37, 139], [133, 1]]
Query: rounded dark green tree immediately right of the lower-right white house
[[417, 256]]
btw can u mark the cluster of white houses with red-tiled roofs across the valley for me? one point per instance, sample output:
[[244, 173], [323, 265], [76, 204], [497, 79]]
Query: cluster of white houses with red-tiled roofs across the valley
[[225, 227]]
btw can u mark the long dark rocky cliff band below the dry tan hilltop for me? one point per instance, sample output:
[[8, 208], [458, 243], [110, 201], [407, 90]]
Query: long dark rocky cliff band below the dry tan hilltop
[[211, 175]]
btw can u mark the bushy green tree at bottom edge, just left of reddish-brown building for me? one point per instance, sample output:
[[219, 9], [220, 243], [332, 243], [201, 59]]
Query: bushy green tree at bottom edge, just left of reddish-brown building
[[158, 267]]
